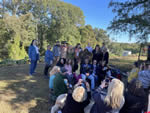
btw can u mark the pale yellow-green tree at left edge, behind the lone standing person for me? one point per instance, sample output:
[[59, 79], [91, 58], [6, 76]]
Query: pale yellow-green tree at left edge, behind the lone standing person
[[15, 34]]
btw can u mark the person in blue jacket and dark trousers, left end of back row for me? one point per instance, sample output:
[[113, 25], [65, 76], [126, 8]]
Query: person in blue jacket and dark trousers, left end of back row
[[48, 60]]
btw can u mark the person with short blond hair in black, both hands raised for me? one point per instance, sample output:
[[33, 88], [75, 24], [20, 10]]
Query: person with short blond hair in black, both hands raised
[[78, 100]]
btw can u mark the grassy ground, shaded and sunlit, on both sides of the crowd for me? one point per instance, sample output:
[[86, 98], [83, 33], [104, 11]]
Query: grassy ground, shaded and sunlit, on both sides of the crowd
[[20, 93]]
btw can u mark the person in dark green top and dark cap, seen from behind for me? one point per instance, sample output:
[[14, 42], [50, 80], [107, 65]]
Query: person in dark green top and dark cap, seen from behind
[[59, 84]]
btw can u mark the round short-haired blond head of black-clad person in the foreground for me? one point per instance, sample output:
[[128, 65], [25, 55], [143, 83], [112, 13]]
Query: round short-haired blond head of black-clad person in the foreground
[[79, 94]]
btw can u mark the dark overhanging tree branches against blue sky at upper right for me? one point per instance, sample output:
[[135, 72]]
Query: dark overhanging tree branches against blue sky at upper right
[[132, 16]]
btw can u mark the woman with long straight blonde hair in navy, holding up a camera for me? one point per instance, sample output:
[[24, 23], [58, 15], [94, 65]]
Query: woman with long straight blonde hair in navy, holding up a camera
[[111, 102]]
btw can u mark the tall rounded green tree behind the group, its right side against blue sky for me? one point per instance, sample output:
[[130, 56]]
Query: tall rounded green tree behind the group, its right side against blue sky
[[65, 20]]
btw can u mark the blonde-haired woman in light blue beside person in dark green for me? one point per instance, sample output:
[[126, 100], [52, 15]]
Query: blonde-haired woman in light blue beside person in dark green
[[54, 71]]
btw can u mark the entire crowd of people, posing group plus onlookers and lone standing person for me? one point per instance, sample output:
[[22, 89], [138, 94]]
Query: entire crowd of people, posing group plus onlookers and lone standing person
[[80, 76]]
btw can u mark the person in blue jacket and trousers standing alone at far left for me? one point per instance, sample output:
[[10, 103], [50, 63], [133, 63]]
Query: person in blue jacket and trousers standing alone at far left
[[33, 53]]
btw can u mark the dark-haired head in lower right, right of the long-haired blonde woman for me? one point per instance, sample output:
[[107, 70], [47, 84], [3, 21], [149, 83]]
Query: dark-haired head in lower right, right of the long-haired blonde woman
[[135, 88]]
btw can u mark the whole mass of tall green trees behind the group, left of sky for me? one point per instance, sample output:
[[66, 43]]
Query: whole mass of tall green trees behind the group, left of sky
[[21, 21]]
